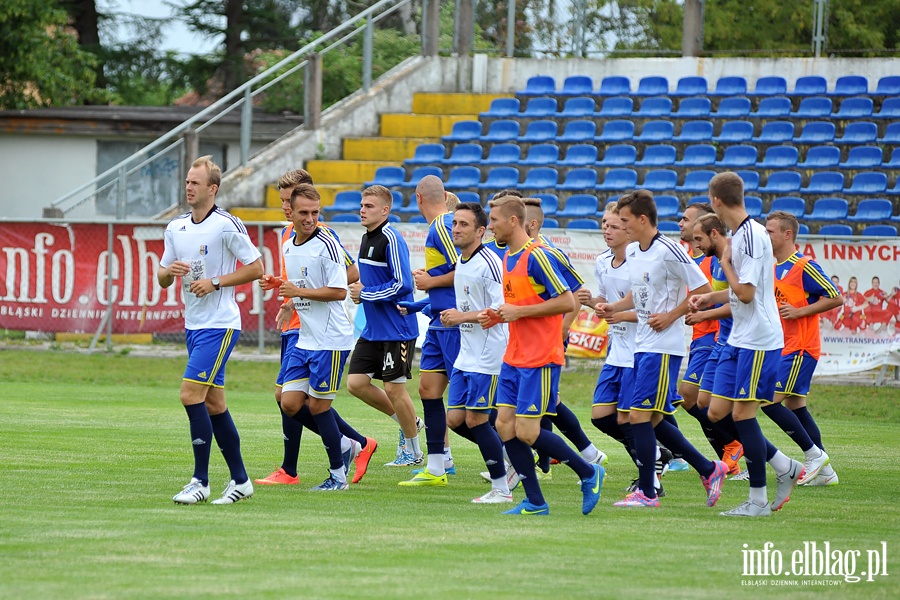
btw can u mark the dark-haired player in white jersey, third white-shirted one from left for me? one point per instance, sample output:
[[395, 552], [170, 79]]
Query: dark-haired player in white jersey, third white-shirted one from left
[[478, 286]]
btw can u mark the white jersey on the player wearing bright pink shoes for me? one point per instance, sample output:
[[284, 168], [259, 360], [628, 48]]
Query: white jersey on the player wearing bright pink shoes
[[660, 277]]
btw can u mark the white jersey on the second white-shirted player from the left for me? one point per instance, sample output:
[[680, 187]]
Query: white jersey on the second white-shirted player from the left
[[316, 263]]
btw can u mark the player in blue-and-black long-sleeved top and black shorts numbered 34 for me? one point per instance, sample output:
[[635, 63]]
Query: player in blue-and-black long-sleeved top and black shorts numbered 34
[[385, 349]]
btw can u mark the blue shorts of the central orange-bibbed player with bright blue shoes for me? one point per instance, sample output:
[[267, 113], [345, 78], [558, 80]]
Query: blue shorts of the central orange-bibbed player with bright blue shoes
[[532, 392]]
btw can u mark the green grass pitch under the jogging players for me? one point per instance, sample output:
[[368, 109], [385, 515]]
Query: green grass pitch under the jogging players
[[93, 447]]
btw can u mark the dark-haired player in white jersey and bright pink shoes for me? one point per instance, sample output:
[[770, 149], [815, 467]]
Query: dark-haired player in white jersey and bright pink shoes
[[661, 274]]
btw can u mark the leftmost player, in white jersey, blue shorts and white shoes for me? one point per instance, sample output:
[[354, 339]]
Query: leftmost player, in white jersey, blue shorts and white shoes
[[202, 247]]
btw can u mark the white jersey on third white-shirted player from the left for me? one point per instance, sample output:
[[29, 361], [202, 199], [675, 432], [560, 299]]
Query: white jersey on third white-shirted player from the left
[[478, 285]]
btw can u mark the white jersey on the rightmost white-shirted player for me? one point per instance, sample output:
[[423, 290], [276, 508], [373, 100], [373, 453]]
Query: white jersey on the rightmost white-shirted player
[[757, 325]]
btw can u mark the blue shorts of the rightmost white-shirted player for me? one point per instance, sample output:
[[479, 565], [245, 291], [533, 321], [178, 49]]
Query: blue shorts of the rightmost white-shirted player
[[746, 375]]
